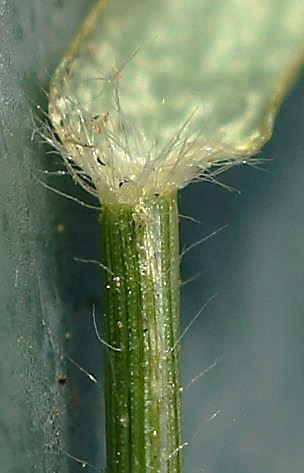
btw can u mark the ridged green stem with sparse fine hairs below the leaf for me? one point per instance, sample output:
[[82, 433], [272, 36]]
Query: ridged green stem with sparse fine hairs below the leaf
[[142, 325]]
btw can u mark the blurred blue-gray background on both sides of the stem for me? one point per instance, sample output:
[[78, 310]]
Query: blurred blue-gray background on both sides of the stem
[[246, 414]]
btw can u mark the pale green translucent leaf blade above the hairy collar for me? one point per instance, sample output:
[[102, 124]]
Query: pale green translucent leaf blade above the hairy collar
[[152, 65]]
